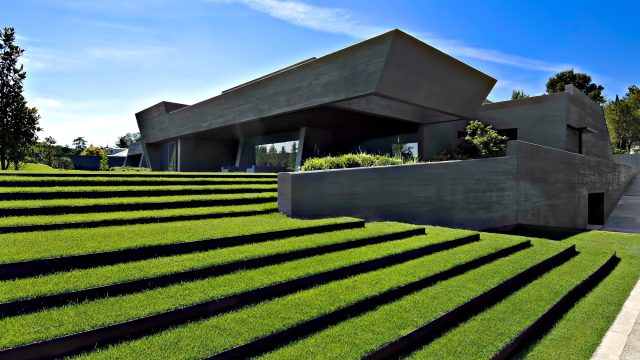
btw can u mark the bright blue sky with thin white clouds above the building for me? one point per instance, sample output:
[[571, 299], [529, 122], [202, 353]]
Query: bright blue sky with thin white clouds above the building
[[92, 64]]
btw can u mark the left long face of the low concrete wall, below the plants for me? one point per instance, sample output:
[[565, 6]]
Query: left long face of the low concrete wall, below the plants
[[470, 194]]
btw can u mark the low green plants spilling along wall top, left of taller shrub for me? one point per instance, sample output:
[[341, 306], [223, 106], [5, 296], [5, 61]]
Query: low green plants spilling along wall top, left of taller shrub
[[350, 161]]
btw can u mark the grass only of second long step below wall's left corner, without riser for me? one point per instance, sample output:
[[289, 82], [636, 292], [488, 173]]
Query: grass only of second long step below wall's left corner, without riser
[[83, 279]]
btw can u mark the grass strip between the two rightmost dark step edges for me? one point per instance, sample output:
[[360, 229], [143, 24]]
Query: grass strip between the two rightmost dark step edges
[[487, 333]]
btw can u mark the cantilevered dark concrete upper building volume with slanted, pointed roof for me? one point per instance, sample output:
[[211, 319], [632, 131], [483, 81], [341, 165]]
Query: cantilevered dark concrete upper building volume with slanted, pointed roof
[[380, 88]]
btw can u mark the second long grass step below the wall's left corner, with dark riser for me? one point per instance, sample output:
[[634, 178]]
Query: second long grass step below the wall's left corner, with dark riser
[[97, 282]]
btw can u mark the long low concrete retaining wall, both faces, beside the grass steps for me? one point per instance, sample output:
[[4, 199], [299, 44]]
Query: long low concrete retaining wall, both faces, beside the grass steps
[[532, 185]]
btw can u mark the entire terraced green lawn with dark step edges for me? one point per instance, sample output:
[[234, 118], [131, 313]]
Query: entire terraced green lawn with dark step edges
[[243, 281]]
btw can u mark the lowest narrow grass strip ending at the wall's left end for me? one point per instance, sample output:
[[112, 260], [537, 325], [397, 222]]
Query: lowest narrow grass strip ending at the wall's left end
[[129, 215]]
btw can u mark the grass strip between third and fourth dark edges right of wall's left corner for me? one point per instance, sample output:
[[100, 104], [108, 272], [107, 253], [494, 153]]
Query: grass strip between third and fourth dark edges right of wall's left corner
[[221, 333]]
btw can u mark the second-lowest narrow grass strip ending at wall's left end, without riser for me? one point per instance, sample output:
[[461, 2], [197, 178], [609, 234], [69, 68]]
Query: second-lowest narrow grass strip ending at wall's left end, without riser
[[34, 204]]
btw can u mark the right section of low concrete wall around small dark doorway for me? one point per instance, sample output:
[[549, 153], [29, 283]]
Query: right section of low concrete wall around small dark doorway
[[553, 185]]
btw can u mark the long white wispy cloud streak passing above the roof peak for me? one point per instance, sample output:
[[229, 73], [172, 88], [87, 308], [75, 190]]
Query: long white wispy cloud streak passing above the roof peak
[[341, 21]]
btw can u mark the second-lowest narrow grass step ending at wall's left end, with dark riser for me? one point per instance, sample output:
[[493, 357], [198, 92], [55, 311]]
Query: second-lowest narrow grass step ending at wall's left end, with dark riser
[[79, 206]]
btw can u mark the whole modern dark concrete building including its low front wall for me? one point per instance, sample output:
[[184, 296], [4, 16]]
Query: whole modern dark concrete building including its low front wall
[[558, 170]]
